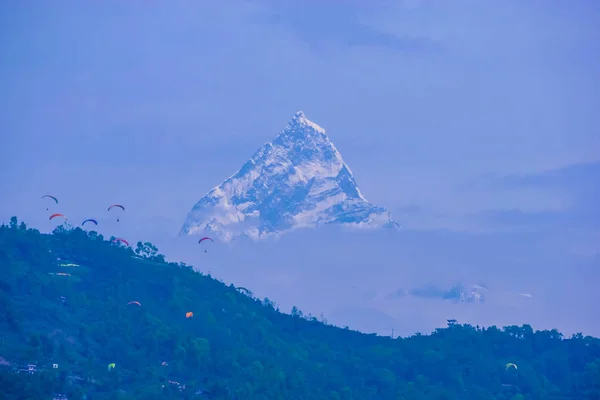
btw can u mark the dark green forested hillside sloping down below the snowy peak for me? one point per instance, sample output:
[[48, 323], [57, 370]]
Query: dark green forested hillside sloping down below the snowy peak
[[236, 346]]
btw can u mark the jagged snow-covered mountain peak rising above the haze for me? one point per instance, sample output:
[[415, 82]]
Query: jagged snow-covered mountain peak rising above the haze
[[298, 180]]
